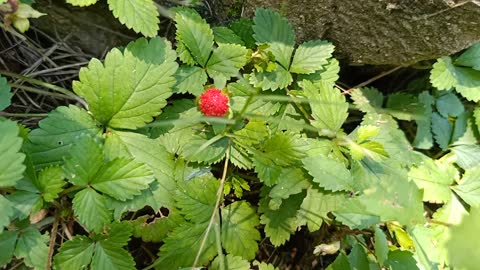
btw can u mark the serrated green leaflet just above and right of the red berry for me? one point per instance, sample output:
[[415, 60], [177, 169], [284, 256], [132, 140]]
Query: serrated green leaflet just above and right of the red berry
[[226, 61]]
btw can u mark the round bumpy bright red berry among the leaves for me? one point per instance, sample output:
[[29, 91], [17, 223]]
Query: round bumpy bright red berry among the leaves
[[213, 102]]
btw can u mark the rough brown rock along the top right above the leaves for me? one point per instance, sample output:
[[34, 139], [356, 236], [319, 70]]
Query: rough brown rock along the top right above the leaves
[[383, 32]]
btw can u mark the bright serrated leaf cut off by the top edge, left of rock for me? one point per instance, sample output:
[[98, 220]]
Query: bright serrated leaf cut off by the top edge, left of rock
[[139, 15]]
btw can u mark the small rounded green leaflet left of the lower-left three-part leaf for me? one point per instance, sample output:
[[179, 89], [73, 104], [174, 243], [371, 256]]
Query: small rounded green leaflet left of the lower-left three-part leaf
[[50, 183]]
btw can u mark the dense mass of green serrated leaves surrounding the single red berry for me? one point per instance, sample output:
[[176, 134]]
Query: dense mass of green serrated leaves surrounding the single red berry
[[270, 148]]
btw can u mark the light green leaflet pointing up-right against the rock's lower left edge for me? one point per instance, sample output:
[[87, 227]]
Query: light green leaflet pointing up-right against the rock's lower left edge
[[311, 56]]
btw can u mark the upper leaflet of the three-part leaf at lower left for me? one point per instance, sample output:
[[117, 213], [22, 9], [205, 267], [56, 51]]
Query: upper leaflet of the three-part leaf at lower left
[[86, 158]]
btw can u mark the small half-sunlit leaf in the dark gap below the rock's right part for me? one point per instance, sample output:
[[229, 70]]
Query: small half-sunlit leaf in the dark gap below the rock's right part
[[368, 100]]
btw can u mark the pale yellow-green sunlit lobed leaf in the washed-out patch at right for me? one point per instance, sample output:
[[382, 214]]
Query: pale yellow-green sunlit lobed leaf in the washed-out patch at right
[[434, 178]]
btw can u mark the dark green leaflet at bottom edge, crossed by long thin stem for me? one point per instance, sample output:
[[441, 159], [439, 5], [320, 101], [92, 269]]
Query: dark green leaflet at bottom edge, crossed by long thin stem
[[182, 245]]
